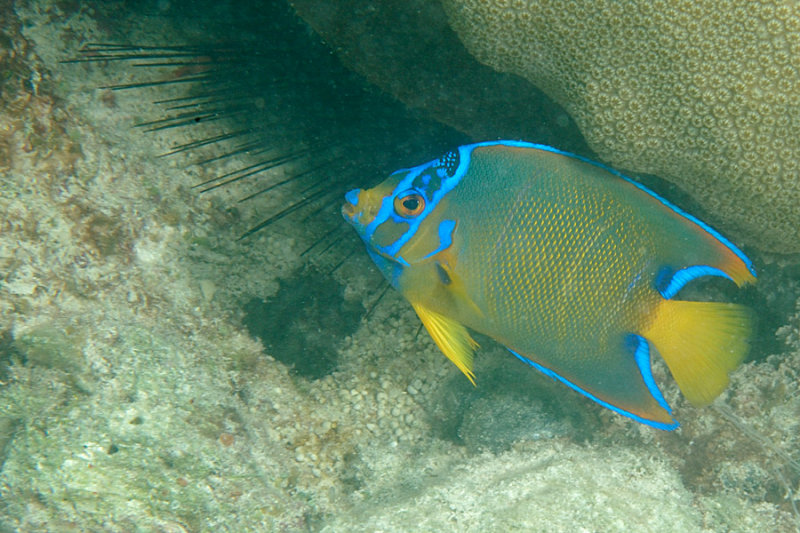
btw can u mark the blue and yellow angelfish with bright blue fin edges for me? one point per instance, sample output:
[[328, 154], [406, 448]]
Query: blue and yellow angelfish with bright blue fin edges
[[569, 264]]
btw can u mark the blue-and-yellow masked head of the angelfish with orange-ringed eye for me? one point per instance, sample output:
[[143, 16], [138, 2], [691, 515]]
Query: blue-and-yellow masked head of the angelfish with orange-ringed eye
[[404, 220]]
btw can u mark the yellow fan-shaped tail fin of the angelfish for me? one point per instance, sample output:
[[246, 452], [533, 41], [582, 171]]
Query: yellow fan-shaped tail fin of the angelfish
[[701, 342]]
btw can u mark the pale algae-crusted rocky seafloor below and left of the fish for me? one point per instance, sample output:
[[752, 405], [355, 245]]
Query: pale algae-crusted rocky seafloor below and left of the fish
[[132, 398]]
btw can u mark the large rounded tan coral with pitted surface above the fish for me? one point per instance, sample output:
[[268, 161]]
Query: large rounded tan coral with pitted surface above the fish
[[702, 92]]
